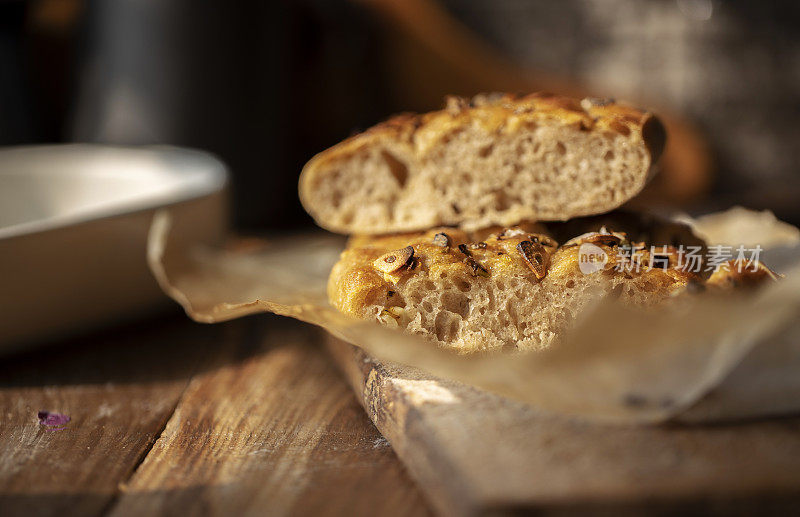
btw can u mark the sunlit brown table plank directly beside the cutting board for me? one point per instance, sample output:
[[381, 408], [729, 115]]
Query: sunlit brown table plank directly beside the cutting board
[[270, 428]]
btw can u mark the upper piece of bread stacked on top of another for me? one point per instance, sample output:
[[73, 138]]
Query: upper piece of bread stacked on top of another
[[493, 160]]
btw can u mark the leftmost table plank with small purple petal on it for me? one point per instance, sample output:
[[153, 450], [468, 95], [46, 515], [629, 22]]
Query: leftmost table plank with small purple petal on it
[[119, 388]]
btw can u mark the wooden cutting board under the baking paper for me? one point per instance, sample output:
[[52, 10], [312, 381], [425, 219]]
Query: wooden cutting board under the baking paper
[[473, 452]]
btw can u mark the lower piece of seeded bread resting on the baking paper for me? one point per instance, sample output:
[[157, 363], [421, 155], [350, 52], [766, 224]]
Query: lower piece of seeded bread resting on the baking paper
[[512, 288]]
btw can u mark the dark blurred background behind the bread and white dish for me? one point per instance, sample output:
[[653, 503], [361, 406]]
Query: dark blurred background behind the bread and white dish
[[266, 84]]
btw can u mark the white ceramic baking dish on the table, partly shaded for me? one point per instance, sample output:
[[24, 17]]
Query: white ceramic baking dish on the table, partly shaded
[[73, 232]]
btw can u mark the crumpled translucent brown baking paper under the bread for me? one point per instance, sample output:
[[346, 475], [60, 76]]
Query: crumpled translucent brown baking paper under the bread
[[718, 358]]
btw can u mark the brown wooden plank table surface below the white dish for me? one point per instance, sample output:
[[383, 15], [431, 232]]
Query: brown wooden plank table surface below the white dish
[[173, 417]]
